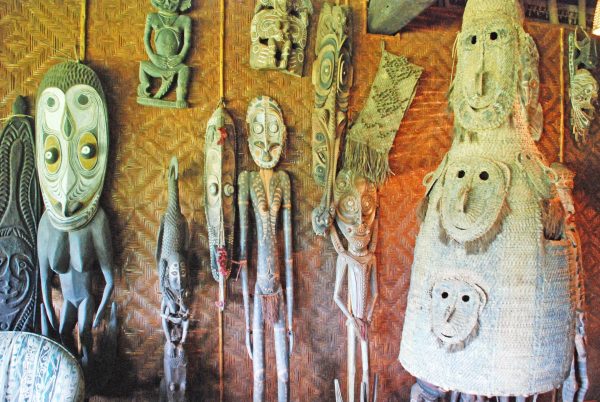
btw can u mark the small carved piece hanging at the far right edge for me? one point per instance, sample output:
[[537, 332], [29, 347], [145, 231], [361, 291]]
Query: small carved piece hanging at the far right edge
[[583, 88]]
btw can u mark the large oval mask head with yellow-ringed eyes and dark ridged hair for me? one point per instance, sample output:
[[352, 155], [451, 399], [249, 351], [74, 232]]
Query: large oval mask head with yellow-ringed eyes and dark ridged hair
[[71, 143]]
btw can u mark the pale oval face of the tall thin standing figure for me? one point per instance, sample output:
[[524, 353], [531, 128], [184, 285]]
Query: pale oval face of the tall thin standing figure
[[267, 131]]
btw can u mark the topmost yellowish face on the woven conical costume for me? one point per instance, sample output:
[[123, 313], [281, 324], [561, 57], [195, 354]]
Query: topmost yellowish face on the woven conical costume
[[485, 86]]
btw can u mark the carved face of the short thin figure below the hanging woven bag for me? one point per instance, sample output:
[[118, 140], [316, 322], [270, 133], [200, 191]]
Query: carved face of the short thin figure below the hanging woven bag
[[355, 200]]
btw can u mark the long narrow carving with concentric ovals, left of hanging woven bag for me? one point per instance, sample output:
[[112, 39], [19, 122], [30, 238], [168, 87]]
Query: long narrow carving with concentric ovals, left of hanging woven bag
[[332, 79]]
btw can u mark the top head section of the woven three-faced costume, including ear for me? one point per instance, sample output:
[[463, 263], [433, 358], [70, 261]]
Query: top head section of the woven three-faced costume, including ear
[[497, 66]]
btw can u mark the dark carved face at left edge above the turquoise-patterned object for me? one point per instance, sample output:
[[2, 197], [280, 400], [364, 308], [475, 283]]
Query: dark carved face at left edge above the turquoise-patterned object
[[17, 279]]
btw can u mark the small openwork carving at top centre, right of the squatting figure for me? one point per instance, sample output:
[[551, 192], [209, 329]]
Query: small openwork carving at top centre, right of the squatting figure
[[278, 34]]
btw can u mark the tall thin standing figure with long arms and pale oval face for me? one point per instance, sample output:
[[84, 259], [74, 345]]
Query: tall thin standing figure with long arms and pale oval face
[[269, 192]]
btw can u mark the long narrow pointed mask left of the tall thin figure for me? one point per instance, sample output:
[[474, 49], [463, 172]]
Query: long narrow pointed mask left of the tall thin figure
[[219, 194]]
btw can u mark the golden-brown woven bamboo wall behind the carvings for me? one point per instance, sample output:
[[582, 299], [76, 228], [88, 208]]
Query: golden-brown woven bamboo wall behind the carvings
[[36, 34]]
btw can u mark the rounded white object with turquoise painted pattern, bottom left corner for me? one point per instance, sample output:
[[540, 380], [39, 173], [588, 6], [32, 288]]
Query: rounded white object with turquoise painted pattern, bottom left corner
[[35, 369]]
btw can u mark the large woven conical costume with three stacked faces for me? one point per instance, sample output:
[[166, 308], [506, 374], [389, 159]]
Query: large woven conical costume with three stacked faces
[[491, 308]]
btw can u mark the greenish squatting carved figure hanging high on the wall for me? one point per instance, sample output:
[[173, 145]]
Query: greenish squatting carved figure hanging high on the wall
[[172, 39]]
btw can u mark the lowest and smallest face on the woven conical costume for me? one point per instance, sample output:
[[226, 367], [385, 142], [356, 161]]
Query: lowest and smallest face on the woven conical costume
[[455, 309]]
